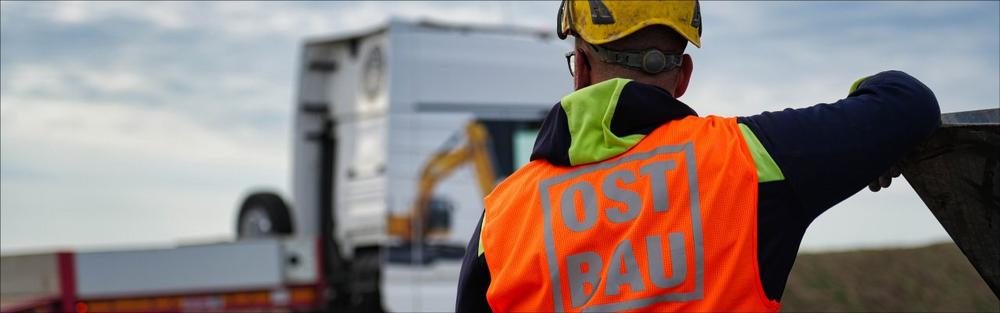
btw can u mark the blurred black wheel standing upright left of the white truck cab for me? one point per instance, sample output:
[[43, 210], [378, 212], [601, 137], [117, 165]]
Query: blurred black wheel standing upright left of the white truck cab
[[263, 214]]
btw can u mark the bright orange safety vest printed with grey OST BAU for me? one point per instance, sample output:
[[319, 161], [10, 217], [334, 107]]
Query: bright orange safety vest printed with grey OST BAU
[[670, 225]]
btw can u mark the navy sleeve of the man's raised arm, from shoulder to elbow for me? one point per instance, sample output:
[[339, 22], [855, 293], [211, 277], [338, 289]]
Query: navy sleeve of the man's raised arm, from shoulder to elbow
[[828, 152]]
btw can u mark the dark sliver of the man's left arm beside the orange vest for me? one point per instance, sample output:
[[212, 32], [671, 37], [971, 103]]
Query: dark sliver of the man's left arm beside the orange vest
[[474, 279]]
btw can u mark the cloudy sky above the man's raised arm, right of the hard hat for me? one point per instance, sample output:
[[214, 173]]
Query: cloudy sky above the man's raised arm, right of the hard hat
[[769, 56]]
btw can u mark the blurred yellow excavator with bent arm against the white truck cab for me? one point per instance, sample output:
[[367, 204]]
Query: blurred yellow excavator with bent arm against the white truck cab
[[414, 226]]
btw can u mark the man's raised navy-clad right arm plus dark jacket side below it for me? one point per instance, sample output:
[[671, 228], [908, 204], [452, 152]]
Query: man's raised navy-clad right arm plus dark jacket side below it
[[828, 152]]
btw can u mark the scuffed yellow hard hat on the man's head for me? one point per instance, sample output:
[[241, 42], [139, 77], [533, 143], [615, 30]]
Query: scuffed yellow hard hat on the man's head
[[599, 21]]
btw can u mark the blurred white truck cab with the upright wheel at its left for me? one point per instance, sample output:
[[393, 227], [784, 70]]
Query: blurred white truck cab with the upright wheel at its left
[[373, 109]]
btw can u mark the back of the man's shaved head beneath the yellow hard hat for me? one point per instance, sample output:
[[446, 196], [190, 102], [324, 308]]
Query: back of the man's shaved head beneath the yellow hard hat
[[656, 36]]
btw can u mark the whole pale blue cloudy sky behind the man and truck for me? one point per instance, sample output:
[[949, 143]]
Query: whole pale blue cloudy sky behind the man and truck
[[129, 124]]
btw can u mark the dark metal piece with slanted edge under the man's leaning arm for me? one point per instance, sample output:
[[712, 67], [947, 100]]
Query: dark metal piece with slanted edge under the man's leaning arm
[[957, 174]]
